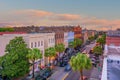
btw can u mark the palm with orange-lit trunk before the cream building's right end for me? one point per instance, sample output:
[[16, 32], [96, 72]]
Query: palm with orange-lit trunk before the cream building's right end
[[50, 52]]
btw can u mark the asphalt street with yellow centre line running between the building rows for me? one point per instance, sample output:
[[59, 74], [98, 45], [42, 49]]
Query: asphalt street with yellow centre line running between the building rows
[[60, 74]]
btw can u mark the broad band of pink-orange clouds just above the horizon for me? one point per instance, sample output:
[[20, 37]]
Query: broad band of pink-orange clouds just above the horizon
[[40, 17]]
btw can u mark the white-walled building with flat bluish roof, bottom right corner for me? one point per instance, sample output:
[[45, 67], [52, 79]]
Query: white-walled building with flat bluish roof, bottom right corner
[[111, 63]]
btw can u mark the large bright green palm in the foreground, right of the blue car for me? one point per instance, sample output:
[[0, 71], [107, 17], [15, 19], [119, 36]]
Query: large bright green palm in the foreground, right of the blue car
[[80, 62]]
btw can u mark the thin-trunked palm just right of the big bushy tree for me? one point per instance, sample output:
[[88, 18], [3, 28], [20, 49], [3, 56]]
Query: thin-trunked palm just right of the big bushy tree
[[34, 54]]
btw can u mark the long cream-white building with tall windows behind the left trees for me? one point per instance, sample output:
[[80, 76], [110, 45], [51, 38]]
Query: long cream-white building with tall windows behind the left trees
[[36, 40]]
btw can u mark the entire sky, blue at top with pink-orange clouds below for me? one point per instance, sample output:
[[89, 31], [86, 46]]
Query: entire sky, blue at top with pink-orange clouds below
[[91, 14]]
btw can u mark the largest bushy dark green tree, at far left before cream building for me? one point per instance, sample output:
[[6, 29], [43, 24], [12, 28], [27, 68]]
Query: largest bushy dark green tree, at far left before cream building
[[15, 62]]
